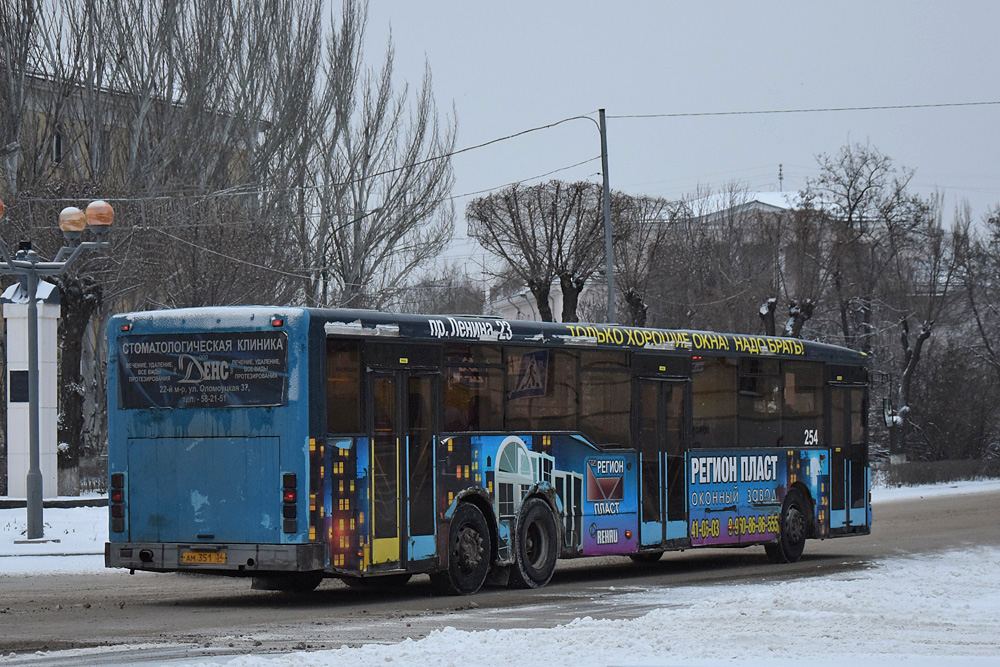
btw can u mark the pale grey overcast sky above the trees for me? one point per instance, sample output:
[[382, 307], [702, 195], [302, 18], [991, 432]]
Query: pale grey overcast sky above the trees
[[513, 65]]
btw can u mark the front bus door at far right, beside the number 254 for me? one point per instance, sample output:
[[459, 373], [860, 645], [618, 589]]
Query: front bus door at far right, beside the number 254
[[848, 457]]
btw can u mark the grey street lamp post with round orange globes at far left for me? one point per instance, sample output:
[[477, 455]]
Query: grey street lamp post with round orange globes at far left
[[27, 264]]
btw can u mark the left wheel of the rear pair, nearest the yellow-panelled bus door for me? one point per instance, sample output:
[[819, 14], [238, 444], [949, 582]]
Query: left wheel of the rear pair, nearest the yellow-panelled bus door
[[469, 551]]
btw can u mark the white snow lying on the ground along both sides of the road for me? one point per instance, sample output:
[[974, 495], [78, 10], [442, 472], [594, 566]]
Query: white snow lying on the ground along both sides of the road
[[933, 610]]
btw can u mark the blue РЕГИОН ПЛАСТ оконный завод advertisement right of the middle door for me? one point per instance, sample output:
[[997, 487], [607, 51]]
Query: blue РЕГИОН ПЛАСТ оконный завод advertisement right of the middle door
[[736, 497]]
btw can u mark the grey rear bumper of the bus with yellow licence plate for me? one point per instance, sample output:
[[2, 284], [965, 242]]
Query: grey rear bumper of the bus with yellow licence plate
[[231, 559]]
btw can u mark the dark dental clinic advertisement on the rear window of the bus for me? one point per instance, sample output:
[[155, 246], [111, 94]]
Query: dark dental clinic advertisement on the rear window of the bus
[[213, 370]]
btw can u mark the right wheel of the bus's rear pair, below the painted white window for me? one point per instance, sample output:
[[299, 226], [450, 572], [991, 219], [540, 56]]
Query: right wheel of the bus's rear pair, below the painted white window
[[536, 546]]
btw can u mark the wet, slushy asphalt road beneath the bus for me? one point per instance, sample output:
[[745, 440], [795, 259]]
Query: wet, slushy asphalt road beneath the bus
[[191, 616]]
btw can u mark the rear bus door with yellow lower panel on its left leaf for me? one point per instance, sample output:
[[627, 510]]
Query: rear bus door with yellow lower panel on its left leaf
[[404, 420]]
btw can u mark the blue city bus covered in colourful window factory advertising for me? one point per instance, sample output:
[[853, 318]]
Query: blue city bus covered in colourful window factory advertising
[[293, 444]]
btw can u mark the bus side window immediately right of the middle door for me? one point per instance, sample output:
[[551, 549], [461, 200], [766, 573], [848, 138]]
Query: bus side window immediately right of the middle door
[[713, 391]]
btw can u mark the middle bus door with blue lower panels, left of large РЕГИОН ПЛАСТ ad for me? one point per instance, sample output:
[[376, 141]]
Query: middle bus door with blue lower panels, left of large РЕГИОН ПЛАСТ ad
[[661, 453]]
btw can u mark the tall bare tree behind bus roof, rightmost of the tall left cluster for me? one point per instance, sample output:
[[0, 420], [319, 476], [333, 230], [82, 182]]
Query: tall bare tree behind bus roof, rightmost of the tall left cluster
[[384, 179]]
